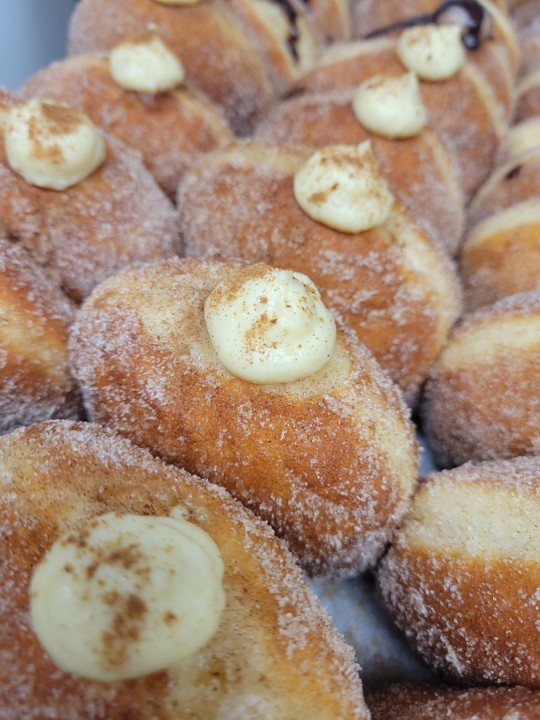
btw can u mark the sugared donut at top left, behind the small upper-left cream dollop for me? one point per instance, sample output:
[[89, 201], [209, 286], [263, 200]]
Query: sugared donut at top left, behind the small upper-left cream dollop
[[206, 36]]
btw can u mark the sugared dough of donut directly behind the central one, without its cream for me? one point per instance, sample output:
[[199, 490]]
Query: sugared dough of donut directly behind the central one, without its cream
[[390, 283]]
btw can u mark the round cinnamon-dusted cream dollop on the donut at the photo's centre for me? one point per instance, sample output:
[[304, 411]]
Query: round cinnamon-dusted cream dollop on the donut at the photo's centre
[[269, 325]]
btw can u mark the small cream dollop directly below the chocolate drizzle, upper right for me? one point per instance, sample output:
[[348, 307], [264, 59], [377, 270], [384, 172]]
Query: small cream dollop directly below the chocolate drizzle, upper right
[[433, 52]]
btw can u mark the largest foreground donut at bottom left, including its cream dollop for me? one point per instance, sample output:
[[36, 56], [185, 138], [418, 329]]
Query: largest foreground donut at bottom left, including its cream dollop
[[270, 649]]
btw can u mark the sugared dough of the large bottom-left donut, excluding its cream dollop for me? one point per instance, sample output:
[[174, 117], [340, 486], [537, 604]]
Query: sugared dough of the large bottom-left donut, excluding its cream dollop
[[274, 653]]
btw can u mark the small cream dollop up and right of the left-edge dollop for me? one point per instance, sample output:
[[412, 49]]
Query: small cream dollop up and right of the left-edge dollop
[[145, 64]]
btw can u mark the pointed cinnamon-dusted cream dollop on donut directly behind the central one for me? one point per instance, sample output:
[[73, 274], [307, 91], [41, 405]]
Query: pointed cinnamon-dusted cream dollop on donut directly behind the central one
[[340, 187]]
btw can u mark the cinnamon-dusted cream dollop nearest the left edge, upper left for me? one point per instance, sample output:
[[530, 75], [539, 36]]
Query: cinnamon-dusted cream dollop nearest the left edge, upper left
[[52, 145]]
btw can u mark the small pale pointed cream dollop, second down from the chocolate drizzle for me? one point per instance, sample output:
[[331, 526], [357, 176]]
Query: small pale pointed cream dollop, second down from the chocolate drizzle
[[389, 106]]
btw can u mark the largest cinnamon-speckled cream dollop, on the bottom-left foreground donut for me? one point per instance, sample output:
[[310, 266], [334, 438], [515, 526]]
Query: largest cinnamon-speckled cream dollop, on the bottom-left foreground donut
[[126, 595]]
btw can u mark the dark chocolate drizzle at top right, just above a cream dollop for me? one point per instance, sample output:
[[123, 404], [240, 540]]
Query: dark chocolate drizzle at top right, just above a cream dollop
[[474, 18]]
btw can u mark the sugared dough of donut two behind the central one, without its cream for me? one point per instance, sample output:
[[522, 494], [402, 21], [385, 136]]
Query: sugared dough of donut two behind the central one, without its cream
[[419, 168]]
